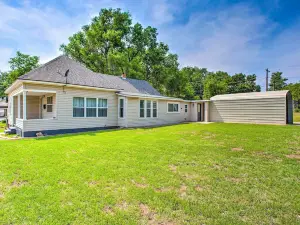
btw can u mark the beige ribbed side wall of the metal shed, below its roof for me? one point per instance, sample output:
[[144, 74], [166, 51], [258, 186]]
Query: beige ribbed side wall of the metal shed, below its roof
[[265, 111]]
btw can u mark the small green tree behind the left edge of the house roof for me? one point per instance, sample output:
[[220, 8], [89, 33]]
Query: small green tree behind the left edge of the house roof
[[19, 65]]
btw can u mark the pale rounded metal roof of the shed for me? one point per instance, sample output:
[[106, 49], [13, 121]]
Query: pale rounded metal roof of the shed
[[251, 95]]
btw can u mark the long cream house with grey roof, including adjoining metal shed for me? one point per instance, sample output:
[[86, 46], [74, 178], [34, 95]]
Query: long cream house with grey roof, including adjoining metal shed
[[63, 96]]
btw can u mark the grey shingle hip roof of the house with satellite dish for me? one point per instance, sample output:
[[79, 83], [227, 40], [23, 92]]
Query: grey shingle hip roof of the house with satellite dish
[[54, 71]]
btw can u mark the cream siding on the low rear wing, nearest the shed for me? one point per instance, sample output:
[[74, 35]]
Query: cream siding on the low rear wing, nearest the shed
[[163, 117]]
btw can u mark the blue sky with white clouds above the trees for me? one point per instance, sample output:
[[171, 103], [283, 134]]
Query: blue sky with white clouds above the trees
[[233, 36]]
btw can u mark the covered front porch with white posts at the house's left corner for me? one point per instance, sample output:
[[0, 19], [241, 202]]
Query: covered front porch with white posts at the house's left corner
[[33, 105]]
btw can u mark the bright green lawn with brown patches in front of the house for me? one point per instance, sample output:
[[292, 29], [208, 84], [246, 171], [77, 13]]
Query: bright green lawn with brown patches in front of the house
[[183, 174]]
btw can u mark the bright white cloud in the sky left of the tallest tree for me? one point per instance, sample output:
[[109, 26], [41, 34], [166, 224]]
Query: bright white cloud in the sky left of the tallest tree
[[37, 31]]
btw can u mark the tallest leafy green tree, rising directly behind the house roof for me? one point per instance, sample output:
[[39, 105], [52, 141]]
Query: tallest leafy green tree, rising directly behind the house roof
[[112, 45]]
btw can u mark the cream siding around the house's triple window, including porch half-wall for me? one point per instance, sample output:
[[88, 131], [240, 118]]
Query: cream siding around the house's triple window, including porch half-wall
[[64, 104]]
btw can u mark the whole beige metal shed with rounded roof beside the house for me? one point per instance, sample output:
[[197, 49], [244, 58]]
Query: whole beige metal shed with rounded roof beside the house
[[273, 107]]
